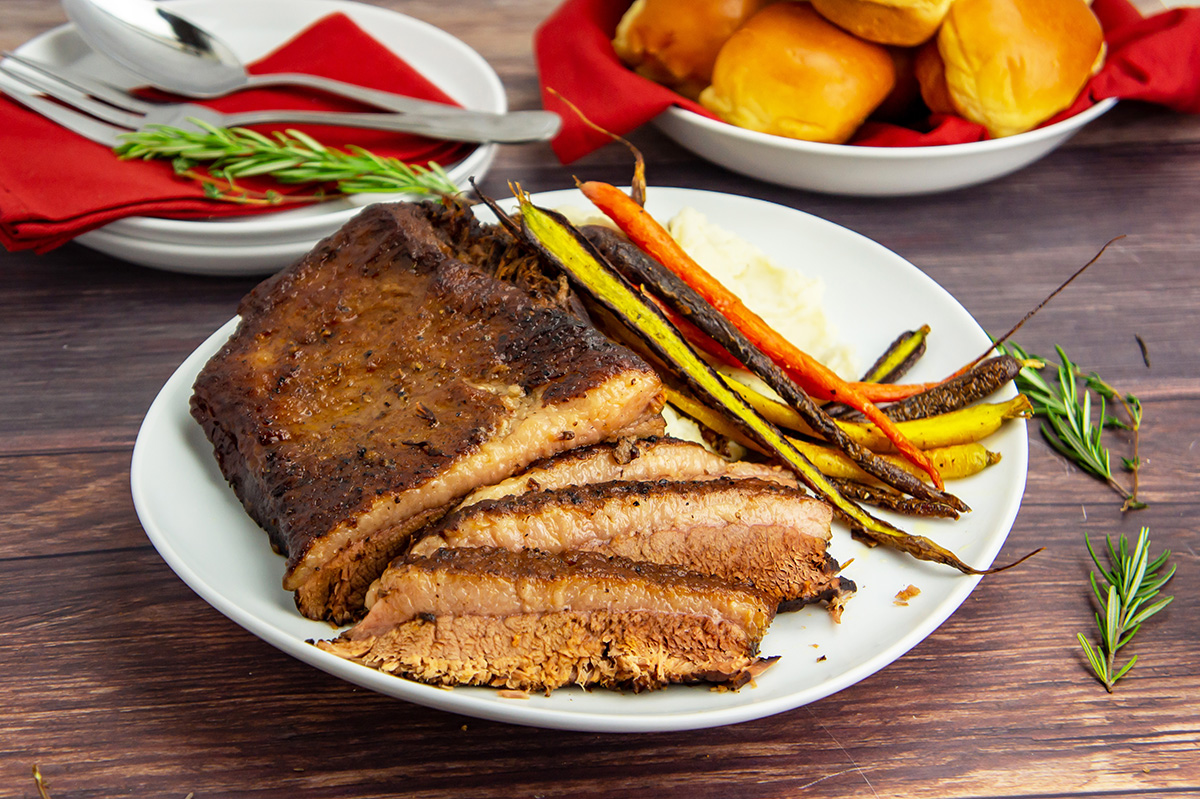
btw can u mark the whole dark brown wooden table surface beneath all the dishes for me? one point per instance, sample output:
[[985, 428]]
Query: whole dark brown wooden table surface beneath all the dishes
[[116, 680]]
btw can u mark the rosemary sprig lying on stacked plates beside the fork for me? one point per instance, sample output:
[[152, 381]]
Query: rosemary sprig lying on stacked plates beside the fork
[[289, 157]]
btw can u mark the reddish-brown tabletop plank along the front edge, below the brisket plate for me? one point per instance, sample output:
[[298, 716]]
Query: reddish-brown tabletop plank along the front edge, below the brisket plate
[[133, 663]]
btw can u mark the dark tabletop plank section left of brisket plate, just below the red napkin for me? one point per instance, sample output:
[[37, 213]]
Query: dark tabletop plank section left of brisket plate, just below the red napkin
[[105, 337]]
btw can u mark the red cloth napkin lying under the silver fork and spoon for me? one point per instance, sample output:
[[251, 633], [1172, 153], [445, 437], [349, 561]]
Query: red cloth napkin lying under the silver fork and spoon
[[56, 185]]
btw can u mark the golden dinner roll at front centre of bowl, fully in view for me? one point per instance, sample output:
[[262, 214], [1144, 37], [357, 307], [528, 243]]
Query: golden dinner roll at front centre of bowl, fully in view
[[790, 73]]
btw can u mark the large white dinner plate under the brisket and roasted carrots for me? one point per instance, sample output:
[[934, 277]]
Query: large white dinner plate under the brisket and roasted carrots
[[202, 532]]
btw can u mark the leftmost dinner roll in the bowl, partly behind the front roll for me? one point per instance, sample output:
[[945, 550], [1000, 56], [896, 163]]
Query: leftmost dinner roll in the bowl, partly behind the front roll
[[675, 43]]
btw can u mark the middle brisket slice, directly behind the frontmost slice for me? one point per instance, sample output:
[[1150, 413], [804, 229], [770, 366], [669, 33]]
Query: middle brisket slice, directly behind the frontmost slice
[[747, 531]]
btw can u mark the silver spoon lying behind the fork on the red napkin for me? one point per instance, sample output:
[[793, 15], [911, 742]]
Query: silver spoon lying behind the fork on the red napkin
[[177, 56]]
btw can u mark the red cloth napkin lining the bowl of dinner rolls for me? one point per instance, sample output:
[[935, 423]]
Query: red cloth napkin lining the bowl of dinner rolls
[[1155, 61]]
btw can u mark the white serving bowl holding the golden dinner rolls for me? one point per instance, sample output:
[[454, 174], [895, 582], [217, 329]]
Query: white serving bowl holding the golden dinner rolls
[[866, 171]]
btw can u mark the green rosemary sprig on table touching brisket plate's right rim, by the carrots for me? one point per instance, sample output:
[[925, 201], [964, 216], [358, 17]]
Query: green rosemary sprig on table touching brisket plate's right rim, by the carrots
[[1070, 430]]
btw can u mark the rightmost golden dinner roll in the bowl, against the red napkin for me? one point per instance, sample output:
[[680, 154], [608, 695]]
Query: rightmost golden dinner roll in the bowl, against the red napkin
[[1011, 65]]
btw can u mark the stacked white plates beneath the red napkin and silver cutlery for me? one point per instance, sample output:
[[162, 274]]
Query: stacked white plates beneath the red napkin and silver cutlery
[[267, 243]]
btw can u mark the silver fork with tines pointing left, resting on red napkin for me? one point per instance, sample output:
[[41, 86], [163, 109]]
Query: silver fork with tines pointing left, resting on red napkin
[[129, 113]]
